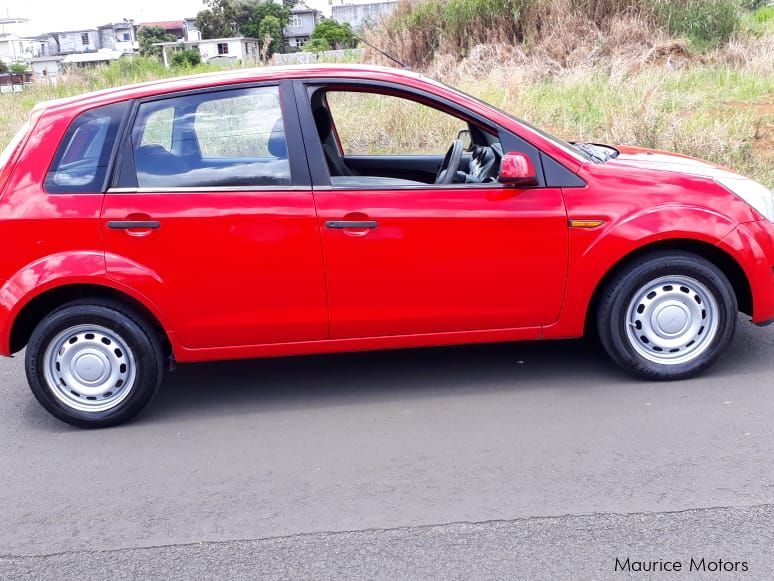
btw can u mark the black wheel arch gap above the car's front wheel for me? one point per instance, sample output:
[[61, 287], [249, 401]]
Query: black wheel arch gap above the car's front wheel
[[718, 257]]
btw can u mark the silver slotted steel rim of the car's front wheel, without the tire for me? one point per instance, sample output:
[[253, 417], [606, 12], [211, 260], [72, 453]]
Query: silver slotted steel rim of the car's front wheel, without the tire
[[672, 320]]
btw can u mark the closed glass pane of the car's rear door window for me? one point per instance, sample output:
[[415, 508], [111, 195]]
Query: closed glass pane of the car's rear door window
[[227, 138]]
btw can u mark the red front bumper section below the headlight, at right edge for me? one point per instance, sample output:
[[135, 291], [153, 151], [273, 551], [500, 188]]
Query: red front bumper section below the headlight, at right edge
[[752, 246]]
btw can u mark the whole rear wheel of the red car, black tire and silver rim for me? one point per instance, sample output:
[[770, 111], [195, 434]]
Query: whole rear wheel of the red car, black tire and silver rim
[[94, 364]]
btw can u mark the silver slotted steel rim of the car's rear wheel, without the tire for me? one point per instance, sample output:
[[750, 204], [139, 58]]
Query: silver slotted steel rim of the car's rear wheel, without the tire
[[89, 368]]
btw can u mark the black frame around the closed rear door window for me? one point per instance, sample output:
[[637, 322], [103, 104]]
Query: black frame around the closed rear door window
[[124, 175]]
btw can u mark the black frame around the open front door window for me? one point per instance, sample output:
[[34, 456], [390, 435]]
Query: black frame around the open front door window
[[318, 168]]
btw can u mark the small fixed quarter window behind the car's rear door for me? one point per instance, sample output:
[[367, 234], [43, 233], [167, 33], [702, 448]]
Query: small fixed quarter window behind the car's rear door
[[81, 162]]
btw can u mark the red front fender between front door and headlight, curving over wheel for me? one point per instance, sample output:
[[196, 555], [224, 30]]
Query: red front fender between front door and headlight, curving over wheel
[[594, 252]]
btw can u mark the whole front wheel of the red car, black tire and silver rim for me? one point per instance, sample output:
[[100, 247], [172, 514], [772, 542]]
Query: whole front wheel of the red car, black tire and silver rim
[[668, 315]]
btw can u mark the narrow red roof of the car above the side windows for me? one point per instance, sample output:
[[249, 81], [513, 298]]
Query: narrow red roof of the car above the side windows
[[235, 76]]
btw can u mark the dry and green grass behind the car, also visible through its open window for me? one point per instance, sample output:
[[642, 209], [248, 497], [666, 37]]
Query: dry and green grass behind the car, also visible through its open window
[[718, 106]]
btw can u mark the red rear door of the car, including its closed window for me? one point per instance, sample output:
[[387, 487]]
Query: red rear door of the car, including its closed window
[[213, 218]]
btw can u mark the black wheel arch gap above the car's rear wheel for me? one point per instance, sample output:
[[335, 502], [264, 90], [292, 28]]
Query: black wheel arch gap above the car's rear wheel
[[30, 315]]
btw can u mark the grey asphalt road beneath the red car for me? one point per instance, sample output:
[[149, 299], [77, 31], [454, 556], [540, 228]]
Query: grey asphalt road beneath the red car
[[523, 461]]
